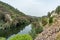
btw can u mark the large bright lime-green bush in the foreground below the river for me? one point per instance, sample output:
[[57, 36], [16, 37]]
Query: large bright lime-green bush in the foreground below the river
[[21, 37]]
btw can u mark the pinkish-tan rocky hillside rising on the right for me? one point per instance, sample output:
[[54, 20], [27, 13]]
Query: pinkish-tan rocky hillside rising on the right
[[51, 30]]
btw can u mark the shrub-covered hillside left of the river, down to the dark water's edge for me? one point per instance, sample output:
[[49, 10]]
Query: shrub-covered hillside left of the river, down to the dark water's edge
[[12, 20]]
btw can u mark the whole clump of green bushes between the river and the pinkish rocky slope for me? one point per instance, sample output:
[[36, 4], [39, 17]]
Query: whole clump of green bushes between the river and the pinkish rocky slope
[[36, 29]]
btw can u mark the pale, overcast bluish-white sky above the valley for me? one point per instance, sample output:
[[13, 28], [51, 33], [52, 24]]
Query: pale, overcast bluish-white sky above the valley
[[34, 7]]
